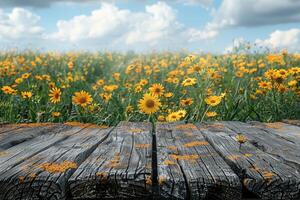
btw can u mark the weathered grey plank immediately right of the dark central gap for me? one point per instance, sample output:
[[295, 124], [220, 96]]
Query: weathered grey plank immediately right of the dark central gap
[[190, 168]]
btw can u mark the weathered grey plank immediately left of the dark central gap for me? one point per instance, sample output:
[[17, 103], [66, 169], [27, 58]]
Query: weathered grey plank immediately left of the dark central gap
[[119, 168]]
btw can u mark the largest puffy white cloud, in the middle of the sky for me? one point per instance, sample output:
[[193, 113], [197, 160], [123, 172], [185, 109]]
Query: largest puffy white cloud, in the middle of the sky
[[111, 27]]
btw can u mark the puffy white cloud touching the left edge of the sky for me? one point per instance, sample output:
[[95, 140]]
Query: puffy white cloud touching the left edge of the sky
[[19, 24]]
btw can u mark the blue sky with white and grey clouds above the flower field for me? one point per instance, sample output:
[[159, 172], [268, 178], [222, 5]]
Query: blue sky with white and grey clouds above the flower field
[[215, 26]]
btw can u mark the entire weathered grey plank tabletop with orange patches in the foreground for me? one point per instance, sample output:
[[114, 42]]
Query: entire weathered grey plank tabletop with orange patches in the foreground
[[84, 161]]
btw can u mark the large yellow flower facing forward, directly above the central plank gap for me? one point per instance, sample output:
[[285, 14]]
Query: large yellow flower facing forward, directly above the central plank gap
[[149, 104]]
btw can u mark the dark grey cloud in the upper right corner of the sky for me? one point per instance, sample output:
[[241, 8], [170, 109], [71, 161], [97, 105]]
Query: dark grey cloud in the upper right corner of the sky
[[249, 13]]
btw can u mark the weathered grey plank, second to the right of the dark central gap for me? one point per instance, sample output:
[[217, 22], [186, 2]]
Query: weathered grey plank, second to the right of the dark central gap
[[261, 173]]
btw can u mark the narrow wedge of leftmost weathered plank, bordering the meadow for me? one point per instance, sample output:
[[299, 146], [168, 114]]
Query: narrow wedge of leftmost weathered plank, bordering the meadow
[[24, 133]]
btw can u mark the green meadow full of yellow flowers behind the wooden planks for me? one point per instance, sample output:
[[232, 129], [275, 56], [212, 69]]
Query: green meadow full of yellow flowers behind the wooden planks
[[105, 88]]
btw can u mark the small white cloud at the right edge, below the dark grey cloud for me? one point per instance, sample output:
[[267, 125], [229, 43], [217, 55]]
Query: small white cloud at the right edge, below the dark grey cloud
[[279, 39]]
